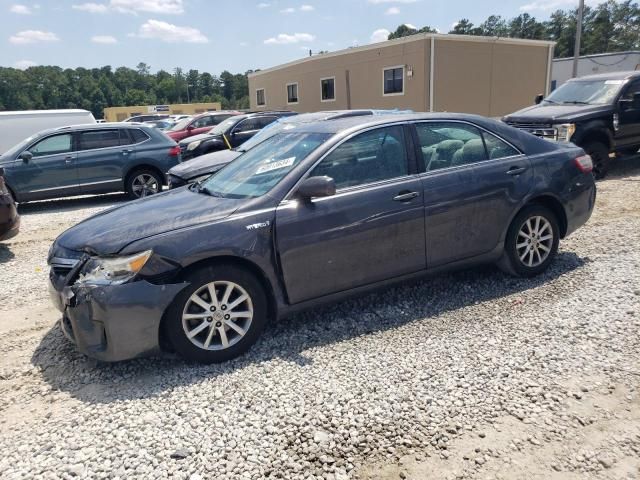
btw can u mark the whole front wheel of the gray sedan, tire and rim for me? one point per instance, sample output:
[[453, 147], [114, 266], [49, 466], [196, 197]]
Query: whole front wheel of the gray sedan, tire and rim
[[191, 312]]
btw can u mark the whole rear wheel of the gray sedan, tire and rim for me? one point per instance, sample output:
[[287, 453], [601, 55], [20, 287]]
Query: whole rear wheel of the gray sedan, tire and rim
[[518, 258]]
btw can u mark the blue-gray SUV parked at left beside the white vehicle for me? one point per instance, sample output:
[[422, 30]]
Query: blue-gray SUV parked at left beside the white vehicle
[[90, 159]]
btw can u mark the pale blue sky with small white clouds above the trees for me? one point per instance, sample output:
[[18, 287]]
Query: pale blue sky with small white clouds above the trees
[[217, 35]]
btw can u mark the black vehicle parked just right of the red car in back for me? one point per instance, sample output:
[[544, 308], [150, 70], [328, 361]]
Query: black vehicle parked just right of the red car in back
[[229, 134]]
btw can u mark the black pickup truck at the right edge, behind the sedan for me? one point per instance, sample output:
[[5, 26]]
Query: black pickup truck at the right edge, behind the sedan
[[600, 113]]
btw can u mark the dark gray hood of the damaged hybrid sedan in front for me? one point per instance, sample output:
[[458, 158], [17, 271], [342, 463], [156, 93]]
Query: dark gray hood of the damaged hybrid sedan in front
[[110, 231]]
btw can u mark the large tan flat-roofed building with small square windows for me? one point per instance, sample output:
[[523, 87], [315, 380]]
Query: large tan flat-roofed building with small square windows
[[424, 72]]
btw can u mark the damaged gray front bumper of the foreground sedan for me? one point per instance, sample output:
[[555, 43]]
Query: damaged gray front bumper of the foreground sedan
[[115, 322]]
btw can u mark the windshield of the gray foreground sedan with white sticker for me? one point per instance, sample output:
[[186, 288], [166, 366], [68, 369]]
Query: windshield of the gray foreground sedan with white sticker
[[256, 172]]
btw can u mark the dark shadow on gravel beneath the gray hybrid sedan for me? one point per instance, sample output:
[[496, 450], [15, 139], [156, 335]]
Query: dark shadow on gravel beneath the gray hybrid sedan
[[64, 369]]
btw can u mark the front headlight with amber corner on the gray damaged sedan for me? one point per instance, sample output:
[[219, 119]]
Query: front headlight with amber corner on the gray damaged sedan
[[112, 270]]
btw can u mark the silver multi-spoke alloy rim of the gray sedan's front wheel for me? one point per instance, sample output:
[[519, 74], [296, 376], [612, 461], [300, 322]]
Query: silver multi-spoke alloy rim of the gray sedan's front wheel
[[217, 315]]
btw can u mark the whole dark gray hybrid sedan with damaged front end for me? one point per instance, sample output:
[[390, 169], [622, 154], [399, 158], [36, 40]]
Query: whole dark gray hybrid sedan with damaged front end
[[309, 216]]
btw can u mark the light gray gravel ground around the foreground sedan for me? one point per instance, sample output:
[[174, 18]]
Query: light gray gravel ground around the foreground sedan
[[467, 375]]
